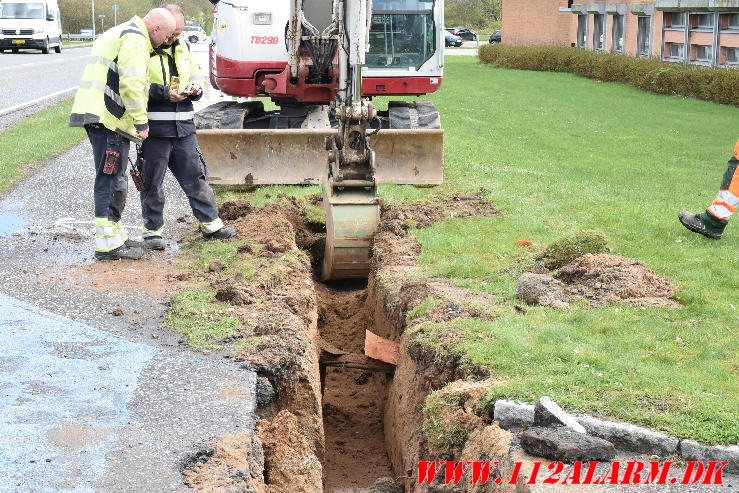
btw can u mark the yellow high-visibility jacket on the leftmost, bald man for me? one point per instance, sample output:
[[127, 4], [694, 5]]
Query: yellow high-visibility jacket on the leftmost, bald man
[[114, 88]]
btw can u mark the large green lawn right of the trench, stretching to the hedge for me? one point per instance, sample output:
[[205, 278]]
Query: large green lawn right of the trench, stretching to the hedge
[[556, 154]]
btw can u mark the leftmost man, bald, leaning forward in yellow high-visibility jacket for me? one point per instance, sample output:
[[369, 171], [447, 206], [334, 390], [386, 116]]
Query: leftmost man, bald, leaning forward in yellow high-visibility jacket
[[111, 105]]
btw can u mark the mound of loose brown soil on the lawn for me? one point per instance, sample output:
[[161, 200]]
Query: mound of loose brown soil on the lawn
[[605, 278]]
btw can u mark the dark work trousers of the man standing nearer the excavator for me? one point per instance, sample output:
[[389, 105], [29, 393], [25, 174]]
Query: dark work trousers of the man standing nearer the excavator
[[182, 156]]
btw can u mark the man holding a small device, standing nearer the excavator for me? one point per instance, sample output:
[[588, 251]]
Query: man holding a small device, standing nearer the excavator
[[176, 80]]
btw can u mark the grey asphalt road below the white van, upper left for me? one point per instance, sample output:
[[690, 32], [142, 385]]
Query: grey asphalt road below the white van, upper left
[[28, 75]]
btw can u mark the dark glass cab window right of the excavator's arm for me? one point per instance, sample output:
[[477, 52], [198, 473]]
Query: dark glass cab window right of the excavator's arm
[[402, 34]]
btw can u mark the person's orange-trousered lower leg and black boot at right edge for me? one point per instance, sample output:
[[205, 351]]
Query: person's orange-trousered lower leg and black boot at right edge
[[712, 222]]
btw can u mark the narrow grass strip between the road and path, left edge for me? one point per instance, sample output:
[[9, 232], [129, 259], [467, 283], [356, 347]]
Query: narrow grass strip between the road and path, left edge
[[34, 140]]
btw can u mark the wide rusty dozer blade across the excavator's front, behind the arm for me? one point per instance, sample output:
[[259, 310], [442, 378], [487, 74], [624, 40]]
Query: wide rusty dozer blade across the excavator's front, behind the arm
[[298, 156]]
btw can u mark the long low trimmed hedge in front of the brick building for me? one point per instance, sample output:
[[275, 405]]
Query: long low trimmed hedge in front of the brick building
[[676, 79]]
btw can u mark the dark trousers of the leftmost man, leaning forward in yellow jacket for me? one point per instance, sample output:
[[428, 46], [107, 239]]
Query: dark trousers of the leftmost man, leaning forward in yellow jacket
[[110, 190]]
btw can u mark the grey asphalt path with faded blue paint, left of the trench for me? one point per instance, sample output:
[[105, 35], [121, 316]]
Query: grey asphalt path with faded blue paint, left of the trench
[[98, 399]]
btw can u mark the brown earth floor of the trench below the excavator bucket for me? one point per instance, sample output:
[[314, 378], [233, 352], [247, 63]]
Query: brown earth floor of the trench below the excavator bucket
[[356, 453]]
